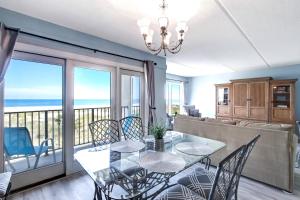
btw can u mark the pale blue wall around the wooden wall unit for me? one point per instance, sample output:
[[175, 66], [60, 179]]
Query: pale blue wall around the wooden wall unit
[[202, 89]]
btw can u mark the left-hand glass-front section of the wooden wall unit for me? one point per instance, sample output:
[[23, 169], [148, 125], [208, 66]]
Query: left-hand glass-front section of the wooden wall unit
[[223, 100]]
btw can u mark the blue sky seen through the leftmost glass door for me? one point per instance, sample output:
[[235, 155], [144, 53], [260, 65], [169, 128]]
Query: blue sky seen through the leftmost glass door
[[29, 80]]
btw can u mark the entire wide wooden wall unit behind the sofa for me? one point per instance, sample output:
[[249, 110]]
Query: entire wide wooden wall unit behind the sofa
[[259, 99]]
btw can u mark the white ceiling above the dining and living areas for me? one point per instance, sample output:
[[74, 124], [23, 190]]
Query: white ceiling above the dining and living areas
[[223, 36]]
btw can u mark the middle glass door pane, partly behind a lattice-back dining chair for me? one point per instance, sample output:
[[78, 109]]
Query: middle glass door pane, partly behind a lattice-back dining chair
[[92, 101]]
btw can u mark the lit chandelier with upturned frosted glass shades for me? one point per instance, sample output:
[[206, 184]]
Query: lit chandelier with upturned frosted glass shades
[[165, 45]]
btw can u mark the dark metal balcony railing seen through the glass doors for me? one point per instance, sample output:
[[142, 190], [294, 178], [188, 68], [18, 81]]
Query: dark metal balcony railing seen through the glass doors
[[43, 124]]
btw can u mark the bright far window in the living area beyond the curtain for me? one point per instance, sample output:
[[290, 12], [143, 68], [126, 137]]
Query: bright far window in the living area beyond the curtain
[[174, 97]]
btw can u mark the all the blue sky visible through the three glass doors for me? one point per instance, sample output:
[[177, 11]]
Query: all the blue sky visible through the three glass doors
[[32, 80]]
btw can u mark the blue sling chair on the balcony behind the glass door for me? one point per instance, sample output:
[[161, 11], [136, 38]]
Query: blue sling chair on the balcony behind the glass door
[[17, 142]]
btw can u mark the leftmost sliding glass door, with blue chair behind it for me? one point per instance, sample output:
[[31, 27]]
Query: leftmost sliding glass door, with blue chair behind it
[[33, 118]]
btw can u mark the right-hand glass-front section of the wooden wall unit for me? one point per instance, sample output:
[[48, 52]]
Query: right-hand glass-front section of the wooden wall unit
[[283, 101]]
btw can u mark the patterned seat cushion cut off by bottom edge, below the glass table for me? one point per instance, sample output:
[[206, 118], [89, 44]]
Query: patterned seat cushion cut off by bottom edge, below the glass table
[[178, 192]]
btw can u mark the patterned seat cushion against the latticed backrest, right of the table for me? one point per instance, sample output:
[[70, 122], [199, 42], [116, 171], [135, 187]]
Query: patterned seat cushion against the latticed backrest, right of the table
[[200, 181]]
